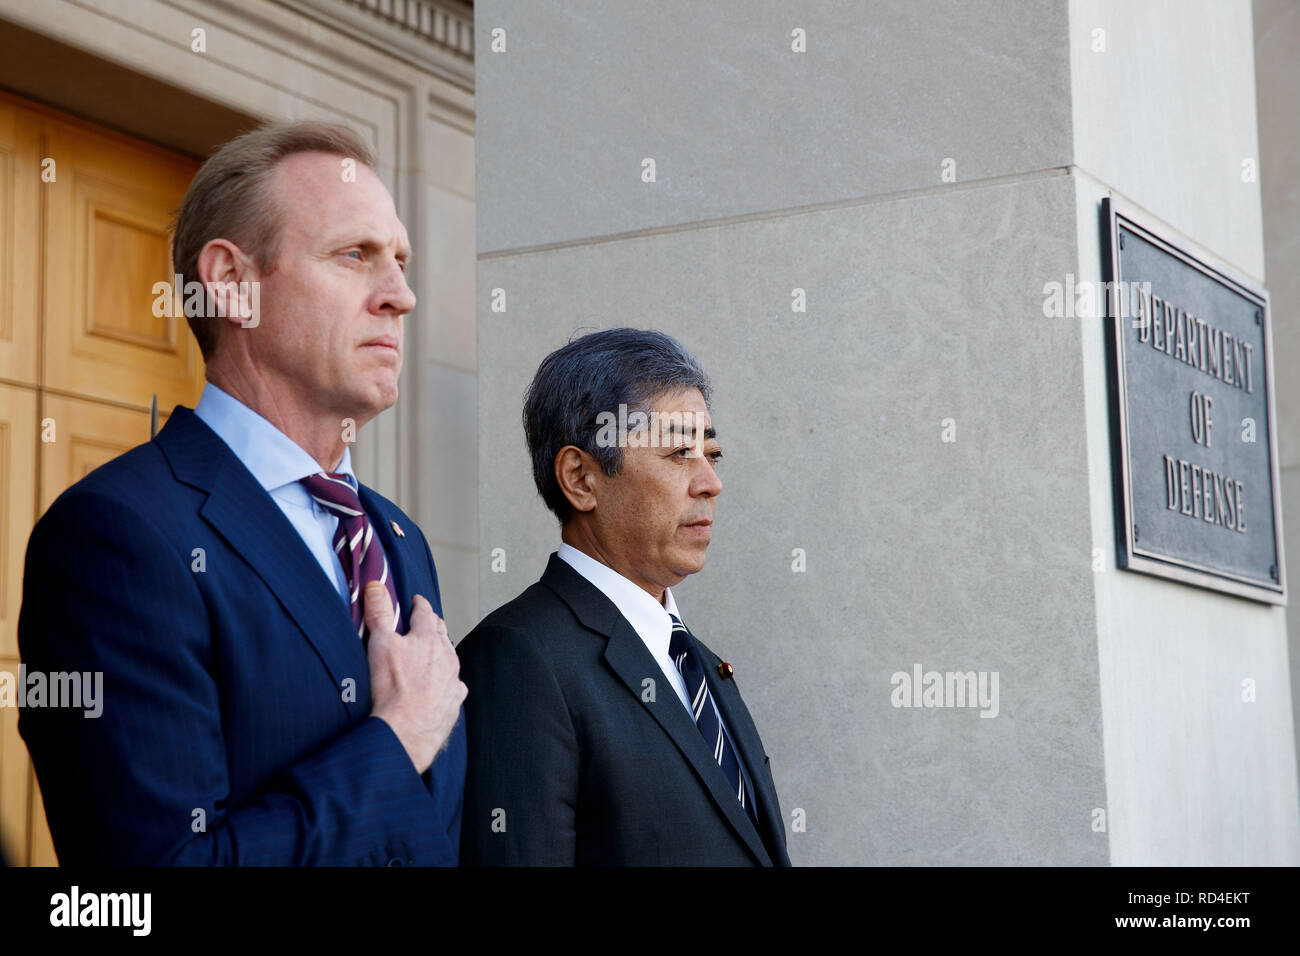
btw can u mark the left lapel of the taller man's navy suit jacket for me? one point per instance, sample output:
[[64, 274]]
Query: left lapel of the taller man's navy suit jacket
[[249, 520]]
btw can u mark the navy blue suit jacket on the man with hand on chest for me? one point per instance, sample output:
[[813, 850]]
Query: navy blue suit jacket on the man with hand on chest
[[236, 721]]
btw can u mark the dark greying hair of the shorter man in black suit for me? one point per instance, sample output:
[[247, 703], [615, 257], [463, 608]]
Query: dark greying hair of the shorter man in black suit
[[592, 375]]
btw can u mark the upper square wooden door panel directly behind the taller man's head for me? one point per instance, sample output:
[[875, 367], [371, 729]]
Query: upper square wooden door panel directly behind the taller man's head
[[107, 222]]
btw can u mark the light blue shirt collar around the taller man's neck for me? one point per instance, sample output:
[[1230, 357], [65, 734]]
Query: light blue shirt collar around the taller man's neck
[[274, 458]]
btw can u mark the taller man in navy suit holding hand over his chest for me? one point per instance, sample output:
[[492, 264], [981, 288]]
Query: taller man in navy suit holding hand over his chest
[[278, 682]]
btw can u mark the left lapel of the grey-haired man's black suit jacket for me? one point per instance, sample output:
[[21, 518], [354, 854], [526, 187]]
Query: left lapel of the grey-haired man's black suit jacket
[[630, 659]]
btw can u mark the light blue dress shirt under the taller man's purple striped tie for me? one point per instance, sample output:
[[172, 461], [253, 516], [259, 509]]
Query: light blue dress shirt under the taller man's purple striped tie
[[278, 462]]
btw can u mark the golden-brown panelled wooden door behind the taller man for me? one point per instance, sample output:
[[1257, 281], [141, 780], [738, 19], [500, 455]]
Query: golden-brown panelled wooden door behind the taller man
[[85, 217]]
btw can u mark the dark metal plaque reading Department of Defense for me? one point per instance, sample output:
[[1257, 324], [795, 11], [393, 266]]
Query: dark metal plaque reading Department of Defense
[[1193, 422]]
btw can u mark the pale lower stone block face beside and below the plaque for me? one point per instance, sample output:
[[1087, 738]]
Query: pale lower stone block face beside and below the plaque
[[1195, 775]]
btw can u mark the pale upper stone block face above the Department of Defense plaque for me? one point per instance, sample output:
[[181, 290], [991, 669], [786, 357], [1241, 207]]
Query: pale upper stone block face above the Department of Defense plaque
[[1167, 115]]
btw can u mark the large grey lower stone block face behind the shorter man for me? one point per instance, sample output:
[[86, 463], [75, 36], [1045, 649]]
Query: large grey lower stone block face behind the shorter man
[[968, 556]]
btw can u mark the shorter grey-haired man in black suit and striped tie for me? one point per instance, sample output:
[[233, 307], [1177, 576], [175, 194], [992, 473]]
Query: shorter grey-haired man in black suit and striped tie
[[601, 730]]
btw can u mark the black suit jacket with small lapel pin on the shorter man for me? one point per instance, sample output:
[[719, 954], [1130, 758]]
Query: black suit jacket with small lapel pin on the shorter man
[[571, 764]]
